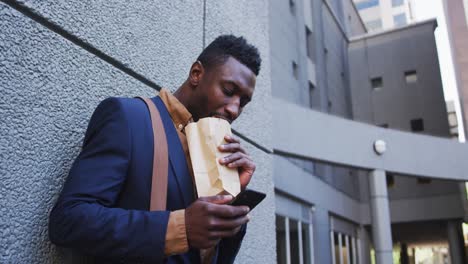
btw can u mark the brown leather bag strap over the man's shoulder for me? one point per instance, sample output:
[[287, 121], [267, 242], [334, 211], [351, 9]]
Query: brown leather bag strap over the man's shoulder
[[160, 159]]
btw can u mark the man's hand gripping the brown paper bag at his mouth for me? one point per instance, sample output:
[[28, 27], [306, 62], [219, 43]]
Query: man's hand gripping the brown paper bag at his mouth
[[238, 159]]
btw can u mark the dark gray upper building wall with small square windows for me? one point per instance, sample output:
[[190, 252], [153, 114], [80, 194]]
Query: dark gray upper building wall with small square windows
[[397, 102]]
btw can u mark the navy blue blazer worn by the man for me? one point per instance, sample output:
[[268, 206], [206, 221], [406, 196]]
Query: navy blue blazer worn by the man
[[103, 209]]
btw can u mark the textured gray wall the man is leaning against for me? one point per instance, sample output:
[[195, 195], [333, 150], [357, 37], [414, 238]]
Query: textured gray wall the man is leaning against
[[50, 87]]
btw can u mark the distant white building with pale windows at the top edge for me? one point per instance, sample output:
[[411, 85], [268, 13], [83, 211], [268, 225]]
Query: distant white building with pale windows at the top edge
[[385, 14]]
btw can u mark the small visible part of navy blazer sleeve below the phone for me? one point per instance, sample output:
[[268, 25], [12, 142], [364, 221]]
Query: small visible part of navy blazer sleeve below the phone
[[229, 247]]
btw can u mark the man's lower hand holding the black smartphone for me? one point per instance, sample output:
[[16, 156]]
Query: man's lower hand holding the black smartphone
[[209, 219]]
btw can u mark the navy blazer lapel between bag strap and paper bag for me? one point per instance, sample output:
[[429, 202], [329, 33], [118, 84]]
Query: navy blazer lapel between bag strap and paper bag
[[177, 158]]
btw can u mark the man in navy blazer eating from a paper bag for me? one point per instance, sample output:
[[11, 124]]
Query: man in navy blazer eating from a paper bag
[[103, 208]]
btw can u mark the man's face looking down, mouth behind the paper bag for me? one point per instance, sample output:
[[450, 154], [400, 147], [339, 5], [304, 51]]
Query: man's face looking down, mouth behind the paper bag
[[224, 90]]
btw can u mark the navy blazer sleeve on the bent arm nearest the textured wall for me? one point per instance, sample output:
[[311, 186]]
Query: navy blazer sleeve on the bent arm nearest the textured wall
[[85, 216]]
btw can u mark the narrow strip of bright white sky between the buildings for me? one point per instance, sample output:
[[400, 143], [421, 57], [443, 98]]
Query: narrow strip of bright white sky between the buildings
[[426, 9]]
